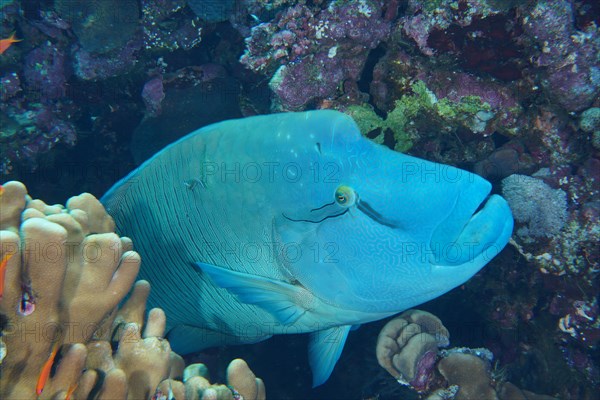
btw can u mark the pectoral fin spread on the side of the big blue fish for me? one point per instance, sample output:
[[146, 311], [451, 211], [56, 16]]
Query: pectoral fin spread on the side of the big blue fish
[[286, 302]]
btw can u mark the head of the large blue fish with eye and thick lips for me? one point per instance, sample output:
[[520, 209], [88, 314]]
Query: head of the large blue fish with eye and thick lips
[[369, 229]]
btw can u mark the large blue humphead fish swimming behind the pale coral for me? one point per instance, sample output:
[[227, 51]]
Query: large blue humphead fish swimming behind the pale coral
[[295, 222]]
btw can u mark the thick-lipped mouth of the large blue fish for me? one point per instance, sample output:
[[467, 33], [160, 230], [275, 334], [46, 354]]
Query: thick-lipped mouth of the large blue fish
[[478, 227]]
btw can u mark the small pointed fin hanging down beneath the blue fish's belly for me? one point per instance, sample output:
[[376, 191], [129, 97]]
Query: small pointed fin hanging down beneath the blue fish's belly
[[324, 349]]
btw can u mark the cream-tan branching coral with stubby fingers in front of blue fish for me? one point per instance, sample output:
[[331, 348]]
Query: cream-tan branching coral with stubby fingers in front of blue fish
[[65, 272]]
